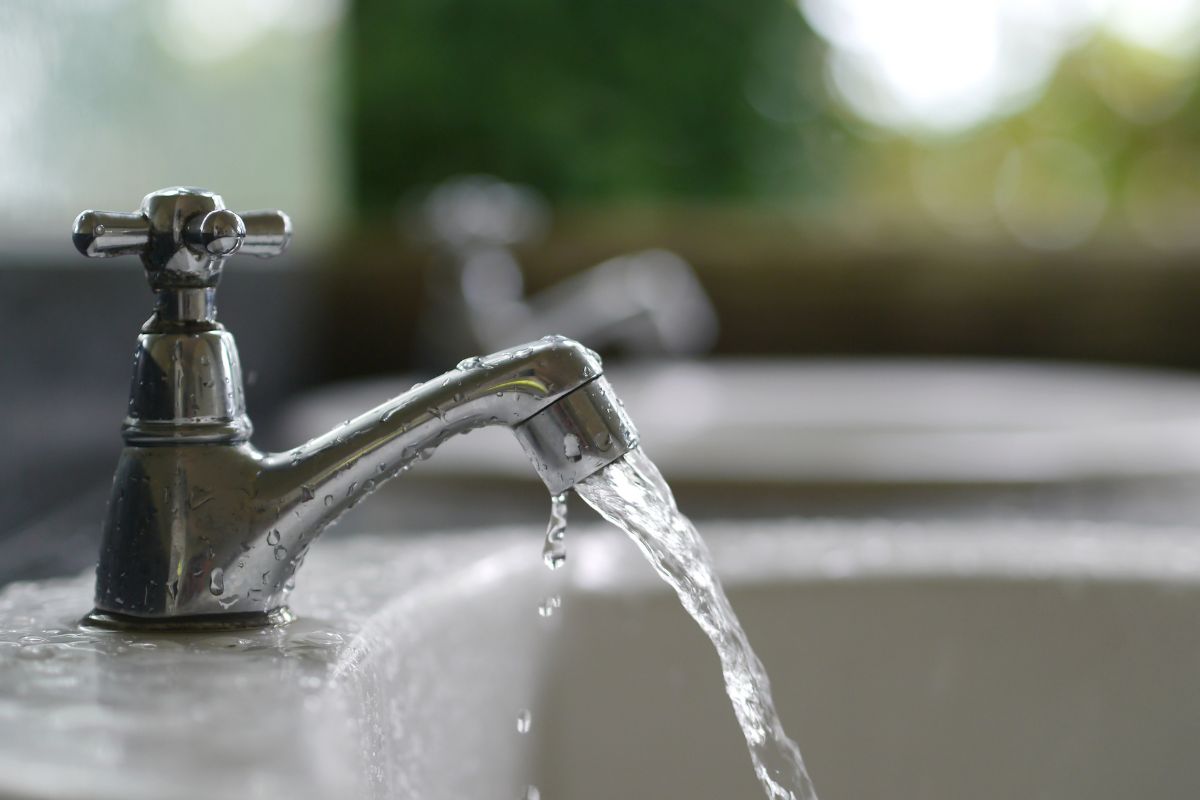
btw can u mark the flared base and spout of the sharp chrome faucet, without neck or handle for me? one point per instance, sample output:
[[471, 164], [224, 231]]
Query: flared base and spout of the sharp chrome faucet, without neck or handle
[[218, 532]]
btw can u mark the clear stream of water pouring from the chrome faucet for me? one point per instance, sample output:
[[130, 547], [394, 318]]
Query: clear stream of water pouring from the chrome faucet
[[632, 495]]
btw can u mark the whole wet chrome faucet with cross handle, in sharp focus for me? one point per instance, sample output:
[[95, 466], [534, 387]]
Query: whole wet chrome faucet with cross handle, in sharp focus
[[206, 531]]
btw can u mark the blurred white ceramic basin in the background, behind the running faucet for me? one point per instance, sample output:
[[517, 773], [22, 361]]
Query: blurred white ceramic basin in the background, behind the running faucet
[[837, 422]]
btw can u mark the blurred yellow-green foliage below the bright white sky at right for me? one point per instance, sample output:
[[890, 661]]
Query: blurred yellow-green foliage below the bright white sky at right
[[1121, 125]]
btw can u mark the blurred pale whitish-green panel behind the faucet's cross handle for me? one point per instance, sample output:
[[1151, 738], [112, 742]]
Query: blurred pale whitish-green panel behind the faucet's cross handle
[[107, 100]]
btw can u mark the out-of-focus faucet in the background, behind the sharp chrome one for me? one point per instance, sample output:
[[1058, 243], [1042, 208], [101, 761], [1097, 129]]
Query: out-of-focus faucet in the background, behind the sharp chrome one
[[646, 303]]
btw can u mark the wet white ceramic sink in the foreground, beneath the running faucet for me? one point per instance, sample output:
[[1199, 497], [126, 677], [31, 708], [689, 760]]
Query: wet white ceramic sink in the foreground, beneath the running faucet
[[956, 660]]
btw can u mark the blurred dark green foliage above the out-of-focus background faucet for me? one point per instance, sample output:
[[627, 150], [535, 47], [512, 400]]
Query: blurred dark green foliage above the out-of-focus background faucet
[[591, 101]]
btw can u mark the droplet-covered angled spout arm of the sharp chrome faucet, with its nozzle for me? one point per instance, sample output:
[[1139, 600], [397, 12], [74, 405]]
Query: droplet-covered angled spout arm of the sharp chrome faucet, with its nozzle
[[550, 393]]
